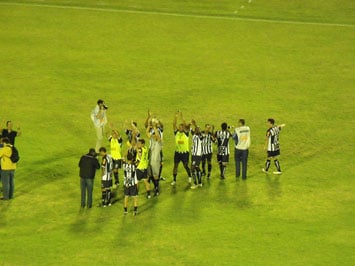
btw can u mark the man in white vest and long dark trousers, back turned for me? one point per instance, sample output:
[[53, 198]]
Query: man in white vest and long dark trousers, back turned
[[241, 151]]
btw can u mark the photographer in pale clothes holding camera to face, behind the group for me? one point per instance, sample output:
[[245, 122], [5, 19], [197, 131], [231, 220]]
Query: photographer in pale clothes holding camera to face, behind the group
[[98, 117]]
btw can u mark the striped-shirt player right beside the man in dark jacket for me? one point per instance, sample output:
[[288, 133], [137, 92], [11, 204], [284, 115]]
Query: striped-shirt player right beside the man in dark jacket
[[106, 177]]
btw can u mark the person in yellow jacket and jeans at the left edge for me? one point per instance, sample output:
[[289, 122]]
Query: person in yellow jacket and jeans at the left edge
[[7, 170]]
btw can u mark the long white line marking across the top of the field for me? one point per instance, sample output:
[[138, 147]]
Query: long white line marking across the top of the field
[[112, 10]]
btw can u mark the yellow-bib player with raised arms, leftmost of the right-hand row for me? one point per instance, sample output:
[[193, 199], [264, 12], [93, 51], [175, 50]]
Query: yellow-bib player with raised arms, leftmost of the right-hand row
[[181, 146]]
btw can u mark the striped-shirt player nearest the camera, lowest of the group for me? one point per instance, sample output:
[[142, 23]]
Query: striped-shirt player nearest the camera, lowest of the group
[[130, 184]]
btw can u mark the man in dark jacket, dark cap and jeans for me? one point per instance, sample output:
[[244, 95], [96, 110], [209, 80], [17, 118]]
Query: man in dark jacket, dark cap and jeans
[[88, 165]]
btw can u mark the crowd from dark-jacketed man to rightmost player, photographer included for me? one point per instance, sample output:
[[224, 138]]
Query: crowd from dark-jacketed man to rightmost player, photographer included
[[143, 163]]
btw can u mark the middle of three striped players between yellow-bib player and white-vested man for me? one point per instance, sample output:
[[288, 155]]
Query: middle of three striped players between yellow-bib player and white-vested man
[[207, 149]]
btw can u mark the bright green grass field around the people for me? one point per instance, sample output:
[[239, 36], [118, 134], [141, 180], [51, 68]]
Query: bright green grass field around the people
[[216, 61]]
